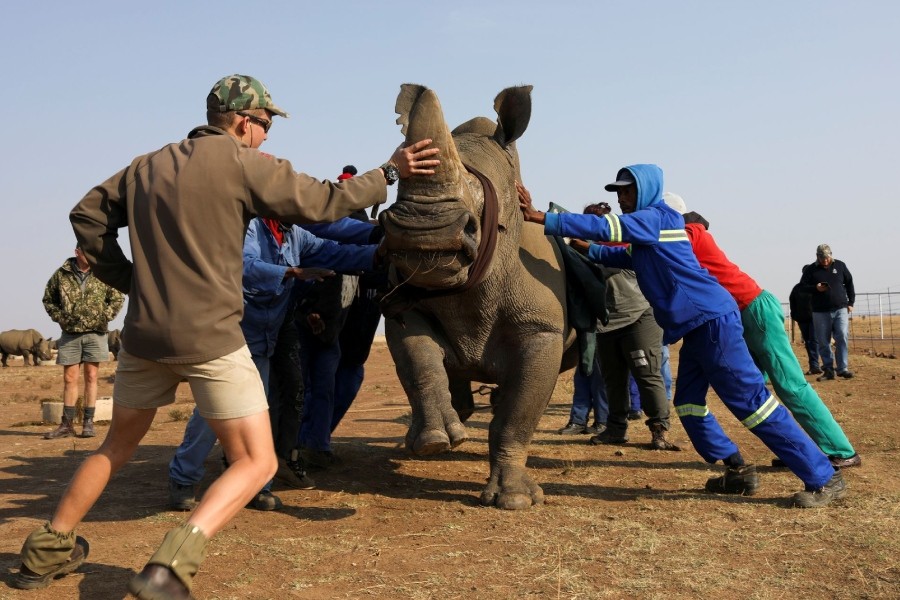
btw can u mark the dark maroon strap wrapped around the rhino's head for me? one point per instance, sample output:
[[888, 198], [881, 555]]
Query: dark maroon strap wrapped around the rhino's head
[[405, 296]]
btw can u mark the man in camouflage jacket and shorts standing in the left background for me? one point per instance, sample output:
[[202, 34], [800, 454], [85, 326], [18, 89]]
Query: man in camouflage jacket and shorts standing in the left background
[[83, 306]]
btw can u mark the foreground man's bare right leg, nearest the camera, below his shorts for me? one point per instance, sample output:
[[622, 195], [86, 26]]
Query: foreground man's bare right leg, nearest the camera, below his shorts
[[247, 442]]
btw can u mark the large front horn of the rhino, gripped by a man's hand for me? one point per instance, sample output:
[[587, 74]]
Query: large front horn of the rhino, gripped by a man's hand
[[421, 117]]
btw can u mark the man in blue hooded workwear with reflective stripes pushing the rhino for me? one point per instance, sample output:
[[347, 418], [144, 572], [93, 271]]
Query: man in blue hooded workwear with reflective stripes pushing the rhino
[[689, 304]]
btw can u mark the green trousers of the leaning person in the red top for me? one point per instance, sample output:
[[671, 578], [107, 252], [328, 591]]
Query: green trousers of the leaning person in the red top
[[768, 342]]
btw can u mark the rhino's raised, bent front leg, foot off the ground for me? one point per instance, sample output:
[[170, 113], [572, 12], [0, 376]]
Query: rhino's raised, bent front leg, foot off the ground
[[419, 354]]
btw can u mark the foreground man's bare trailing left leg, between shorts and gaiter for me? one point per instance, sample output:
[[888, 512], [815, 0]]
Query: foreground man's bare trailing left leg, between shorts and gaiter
[[127, 429]]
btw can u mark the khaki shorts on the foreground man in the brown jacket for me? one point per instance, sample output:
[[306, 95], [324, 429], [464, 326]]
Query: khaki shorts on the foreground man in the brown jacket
[[224, 388]]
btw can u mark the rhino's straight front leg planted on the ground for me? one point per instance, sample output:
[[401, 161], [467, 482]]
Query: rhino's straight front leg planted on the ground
[[523, 396]]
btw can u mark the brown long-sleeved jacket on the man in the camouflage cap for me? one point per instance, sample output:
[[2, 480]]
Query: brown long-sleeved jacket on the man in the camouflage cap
[[186, 207]]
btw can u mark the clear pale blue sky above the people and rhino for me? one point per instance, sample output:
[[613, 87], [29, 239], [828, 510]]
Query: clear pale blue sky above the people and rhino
[[775, 120]]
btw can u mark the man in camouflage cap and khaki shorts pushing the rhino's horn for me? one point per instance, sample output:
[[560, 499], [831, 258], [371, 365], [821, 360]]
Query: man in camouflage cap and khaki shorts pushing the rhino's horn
[[187, 207]]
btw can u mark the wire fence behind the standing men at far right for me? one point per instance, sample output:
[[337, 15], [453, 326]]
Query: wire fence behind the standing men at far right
[[874, 323]]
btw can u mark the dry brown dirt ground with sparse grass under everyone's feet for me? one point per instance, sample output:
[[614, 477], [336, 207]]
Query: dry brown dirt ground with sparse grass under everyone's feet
[[618, 522]]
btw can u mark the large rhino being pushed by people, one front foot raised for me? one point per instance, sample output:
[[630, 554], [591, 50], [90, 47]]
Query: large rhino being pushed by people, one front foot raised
[[478, 296]]
